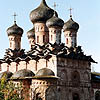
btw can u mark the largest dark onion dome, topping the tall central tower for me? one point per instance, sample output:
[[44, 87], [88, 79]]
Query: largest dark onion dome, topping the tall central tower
[[42, 13]]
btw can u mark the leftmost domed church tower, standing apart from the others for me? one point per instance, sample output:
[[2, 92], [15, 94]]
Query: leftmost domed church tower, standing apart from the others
[[15, 33]]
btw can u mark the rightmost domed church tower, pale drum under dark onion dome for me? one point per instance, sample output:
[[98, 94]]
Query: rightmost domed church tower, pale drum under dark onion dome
[[70, 31]]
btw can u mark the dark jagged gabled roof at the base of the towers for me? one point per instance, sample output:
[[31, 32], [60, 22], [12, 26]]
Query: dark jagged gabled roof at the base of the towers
[[44, 52]]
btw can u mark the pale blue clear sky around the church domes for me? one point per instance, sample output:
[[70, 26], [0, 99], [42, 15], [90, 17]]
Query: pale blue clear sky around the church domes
[[85, 12]]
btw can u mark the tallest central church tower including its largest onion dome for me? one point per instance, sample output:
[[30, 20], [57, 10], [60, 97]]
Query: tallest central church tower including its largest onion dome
[[39, 16]]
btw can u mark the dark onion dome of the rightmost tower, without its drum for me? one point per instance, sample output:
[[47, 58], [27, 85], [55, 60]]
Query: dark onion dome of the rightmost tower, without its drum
[[70, 24]]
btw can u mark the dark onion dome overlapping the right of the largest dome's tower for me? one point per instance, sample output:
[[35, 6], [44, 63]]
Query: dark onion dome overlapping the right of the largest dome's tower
[[55, 21]]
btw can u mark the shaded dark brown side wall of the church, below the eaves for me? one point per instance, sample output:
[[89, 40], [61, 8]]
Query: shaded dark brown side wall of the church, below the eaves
[[75, 76]]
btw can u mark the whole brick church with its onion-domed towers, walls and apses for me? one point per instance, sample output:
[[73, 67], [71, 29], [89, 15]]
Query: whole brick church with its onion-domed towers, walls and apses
[[51, 70]]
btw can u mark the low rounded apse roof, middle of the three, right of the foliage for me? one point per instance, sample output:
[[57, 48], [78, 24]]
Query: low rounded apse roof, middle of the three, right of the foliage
[[24, 73]]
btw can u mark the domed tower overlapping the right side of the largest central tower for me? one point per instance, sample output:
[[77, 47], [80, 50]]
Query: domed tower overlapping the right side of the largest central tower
[[55, 25]]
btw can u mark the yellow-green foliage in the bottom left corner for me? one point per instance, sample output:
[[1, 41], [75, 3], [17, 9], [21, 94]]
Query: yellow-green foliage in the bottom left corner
[[8, 91]]
